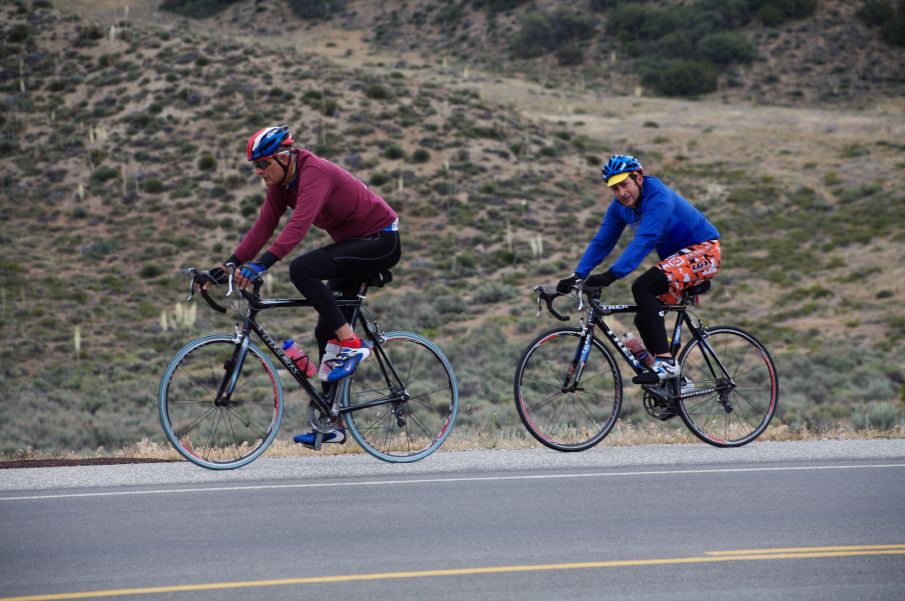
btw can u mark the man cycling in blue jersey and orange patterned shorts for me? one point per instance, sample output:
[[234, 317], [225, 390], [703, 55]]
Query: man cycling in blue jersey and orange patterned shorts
[[687, 244]]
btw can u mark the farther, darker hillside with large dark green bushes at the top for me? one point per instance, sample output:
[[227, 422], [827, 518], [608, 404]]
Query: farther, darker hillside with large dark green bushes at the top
[[827, 55]]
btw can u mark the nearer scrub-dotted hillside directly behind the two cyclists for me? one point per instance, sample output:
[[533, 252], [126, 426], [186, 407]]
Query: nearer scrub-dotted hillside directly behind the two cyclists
[[122, 162]]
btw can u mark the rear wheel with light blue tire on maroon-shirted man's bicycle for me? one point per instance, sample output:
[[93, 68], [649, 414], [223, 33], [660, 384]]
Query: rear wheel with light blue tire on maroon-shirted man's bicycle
[[408, 430]]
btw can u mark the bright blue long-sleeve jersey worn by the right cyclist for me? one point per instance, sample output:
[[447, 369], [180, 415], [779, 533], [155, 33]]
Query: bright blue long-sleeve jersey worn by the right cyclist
[[662, 219]]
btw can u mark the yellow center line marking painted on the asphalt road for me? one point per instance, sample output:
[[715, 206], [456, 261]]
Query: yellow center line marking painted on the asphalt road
[[710, 557]]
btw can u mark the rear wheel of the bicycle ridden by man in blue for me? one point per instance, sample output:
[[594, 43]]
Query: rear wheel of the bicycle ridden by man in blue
[[744, 410]]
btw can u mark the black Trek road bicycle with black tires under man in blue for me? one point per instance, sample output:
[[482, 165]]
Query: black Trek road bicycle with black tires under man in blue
[[568, 387]]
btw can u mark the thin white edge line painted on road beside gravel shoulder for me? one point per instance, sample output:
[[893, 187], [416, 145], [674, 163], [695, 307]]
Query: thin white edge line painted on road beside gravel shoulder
[[445, 480]]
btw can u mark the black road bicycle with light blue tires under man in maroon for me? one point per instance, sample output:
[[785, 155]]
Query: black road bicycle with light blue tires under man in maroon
[[221, 398]]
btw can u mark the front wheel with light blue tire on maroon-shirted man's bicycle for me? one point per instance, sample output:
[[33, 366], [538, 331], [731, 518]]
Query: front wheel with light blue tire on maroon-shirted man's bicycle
[[227, 436]]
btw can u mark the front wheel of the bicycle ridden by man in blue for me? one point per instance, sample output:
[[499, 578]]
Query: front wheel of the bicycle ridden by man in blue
[[566, 420]]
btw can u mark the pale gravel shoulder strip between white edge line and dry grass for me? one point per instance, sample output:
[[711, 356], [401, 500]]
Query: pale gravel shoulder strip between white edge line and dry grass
[[456, 463]]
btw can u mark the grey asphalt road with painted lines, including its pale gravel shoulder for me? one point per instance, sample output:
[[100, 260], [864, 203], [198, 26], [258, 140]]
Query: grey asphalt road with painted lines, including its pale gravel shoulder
[[770, 521]]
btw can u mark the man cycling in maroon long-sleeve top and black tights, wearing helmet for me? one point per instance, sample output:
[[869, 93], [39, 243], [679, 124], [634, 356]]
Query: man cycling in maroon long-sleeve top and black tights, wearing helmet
[[364, 228]]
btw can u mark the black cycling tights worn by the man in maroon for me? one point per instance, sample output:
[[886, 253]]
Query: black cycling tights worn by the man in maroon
[[344, 265]]
